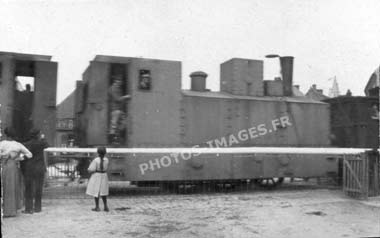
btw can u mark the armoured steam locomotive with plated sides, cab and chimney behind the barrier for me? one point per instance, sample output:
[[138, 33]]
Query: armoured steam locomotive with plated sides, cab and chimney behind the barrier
[[248, 111]]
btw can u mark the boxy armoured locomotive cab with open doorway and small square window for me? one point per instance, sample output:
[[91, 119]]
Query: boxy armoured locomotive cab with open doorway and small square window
[[149, 115]]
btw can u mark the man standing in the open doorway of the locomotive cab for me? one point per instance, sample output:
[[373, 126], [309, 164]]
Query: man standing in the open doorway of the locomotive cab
[[117, 102]]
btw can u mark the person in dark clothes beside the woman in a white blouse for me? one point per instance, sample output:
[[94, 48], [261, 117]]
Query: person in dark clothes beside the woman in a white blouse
[[34, 172]]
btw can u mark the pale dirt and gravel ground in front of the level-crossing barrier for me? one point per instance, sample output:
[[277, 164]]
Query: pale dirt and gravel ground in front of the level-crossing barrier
[[275, 213]]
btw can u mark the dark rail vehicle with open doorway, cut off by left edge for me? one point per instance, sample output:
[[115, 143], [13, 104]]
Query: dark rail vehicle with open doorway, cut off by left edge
[[28, 94]]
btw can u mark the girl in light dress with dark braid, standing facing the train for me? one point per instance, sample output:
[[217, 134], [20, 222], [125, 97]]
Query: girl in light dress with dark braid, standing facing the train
[[98, 183]]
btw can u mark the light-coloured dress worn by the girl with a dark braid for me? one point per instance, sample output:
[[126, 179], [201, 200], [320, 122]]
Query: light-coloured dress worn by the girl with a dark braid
[[98, 183]]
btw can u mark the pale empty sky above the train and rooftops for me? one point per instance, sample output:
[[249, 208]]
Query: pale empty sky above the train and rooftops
[[328, 38]]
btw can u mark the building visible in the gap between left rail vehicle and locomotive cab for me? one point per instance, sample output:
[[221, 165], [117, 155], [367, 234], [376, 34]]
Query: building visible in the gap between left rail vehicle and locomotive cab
[[65, 122]]
